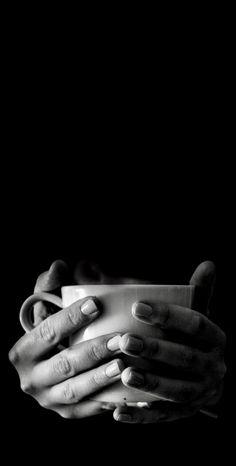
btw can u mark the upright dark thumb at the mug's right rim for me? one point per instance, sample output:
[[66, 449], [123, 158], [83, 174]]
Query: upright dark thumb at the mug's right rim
[[204, 280]]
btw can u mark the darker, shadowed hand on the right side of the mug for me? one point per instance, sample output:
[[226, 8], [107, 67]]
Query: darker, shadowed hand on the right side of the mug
[[191, 357]]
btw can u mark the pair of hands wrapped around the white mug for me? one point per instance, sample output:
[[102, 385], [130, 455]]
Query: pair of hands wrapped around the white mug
[[191, 352]]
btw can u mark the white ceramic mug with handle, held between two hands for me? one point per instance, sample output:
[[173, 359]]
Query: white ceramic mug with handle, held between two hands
[[116, 316]]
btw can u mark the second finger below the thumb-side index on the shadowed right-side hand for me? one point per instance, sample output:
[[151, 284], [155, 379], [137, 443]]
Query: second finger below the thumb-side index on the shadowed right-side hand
[[174, 355]]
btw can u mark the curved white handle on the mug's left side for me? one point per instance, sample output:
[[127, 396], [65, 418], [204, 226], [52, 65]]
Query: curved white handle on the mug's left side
[[25, 311]]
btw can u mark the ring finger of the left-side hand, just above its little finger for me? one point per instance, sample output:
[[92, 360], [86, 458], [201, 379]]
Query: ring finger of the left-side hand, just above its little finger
[[75, 389]]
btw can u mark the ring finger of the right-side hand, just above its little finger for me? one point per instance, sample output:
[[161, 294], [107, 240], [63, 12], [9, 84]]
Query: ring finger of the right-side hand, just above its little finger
[[180, 391]]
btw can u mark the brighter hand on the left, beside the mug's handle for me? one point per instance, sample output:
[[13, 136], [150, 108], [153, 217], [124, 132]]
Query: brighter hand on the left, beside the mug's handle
[[62, 380]]
